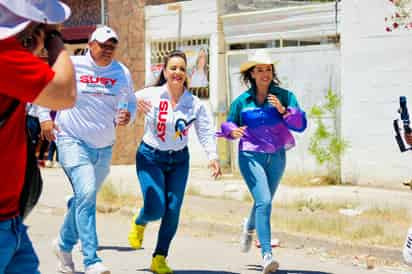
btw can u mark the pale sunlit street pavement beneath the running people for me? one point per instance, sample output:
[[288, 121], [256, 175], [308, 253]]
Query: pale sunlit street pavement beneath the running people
[[192, 252]]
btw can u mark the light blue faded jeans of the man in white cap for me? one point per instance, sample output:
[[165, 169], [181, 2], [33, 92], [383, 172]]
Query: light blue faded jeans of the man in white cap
[[86, 169]]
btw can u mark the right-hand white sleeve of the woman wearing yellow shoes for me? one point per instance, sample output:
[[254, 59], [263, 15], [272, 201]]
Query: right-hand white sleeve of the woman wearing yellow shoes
[[206, 132]]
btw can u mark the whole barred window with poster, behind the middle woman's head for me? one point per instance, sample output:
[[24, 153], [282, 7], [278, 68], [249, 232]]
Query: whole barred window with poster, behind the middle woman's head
[[197, 52]]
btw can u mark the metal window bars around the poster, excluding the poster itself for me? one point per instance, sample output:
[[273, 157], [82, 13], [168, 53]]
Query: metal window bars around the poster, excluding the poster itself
[[160, 49]]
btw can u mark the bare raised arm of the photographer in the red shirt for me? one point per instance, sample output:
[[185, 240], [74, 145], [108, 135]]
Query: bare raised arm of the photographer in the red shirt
[[60, 92]]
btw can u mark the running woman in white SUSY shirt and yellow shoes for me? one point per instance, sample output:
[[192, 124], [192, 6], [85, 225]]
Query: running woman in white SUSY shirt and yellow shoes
[[162, 160]]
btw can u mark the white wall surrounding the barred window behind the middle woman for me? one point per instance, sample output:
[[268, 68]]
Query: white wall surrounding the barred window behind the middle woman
[[199, 20]]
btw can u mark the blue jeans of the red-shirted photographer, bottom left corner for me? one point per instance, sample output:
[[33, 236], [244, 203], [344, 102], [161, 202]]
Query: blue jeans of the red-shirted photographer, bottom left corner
[[16, 251]]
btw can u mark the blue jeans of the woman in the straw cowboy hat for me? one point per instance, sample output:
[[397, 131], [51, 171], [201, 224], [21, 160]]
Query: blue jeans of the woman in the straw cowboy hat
[[262, 173]]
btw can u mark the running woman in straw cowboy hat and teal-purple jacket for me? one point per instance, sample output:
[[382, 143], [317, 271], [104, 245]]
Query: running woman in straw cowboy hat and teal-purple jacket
[[262, 117]]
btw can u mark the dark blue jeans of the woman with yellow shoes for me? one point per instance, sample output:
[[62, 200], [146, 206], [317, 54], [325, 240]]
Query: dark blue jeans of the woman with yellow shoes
[[163, 177]]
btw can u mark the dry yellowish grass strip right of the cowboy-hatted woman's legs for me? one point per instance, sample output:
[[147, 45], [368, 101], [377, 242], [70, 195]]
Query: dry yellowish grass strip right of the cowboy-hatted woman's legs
[[375, 226]]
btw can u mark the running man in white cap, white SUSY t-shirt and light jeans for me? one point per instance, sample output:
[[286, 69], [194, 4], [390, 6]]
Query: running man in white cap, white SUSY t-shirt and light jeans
[[85, 137]]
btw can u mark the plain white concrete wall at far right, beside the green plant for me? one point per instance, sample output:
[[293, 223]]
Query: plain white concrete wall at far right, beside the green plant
[[376, 70]]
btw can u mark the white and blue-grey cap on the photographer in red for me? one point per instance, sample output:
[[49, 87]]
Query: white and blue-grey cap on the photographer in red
[[16, 15]]
